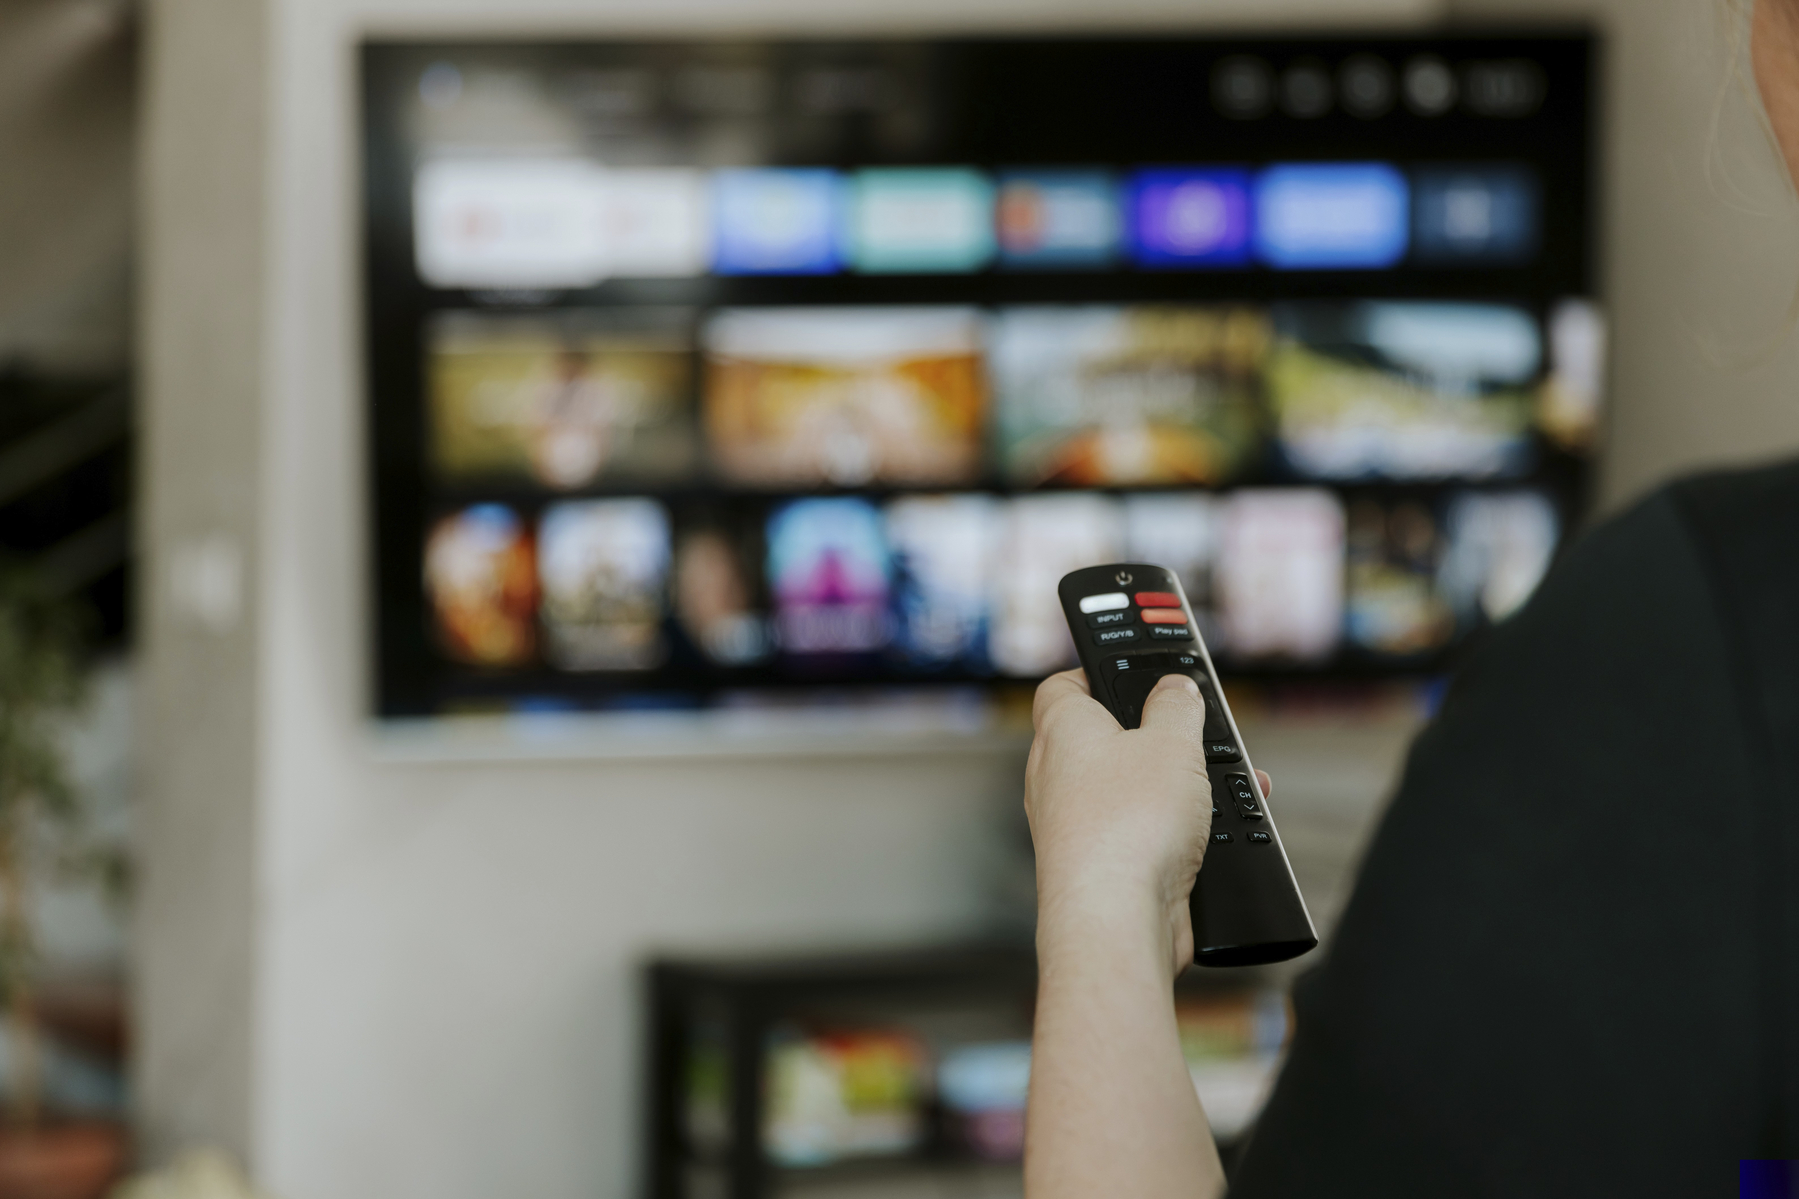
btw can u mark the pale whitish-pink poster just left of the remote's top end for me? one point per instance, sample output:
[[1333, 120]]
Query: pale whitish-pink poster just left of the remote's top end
[[1041, 539]]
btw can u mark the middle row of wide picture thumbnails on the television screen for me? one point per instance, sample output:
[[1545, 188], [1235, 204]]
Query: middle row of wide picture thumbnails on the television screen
[[947, 397]]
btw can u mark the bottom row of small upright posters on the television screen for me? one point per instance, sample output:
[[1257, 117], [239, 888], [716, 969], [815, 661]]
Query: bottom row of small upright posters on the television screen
[[965, 584]]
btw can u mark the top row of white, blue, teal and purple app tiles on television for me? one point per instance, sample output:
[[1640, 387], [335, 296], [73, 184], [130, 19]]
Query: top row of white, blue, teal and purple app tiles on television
[[571, 224]]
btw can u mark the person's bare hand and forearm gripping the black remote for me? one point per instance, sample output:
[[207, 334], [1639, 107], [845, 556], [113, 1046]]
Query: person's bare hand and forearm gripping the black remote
[[1122, 824]]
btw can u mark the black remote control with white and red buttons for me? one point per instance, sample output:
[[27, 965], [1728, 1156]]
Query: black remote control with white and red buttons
[[1134, 626]]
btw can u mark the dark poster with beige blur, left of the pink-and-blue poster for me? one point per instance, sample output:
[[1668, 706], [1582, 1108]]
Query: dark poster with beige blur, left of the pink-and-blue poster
[[719, 591]]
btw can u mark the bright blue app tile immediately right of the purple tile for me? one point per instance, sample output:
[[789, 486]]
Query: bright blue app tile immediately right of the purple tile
[[1332, 217]]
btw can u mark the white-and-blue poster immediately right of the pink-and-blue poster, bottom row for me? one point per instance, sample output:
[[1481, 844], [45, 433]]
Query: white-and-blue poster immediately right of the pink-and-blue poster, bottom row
[[942, 552]]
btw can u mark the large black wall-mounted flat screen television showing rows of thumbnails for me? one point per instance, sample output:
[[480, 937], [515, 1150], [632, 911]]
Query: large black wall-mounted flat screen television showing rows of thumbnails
[[783, 372]]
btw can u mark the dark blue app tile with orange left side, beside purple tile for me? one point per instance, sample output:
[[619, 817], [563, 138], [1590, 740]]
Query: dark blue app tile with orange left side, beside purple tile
[[1059, 219]]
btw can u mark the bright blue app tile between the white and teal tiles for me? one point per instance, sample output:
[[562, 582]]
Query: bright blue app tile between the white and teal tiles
[[776, 222]]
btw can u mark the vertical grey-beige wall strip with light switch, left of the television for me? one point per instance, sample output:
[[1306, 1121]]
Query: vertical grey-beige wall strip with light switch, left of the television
[[204, 222]]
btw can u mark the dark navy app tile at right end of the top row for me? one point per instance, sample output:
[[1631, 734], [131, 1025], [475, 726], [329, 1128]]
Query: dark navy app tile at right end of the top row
[[1478, 215]]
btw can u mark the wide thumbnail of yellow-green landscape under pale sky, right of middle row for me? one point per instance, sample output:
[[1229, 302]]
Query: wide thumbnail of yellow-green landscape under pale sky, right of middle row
[[1404, 390]]
